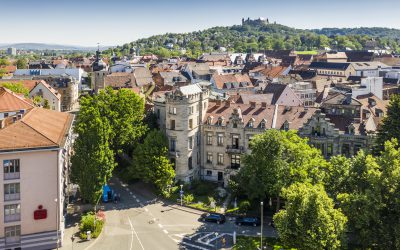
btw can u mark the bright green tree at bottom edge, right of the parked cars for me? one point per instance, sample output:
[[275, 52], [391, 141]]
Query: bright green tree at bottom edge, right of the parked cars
[[309, 220]]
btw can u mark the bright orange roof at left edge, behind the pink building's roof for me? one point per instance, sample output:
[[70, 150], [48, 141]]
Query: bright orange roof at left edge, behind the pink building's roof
[[10, 101]]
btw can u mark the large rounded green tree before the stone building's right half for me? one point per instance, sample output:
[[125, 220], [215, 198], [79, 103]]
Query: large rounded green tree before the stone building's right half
[[277, 160]]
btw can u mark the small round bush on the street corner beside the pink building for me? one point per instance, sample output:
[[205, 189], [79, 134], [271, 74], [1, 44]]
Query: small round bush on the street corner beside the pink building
[[88, 224]]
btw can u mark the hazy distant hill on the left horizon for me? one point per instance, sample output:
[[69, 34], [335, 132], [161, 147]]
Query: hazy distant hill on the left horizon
[[44, 46]]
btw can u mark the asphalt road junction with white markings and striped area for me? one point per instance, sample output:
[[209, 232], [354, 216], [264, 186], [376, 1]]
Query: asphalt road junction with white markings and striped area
[[141, 221]]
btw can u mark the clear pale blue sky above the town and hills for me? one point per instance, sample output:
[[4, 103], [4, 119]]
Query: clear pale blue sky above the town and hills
[[115, 22]]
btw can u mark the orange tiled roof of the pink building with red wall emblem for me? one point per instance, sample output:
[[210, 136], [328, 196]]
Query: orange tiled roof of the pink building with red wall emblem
[[39, 128]]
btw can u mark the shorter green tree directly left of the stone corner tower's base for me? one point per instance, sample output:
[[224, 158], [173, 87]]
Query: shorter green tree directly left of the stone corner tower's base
[[151, 163]]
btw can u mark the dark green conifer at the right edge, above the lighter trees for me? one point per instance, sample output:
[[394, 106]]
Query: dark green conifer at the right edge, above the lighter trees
[[391, 123]]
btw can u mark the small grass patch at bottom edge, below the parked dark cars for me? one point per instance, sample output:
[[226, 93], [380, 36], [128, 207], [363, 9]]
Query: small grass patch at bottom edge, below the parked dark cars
[[252, 243]]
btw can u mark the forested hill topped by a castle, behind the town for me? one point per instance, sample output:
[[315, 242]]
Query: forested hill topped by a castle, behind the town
[[257, 35]]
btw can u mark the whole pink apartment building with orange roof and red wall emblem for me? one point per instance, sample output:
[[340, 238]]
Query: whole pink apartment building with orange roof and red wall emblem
[[35, 146]]
